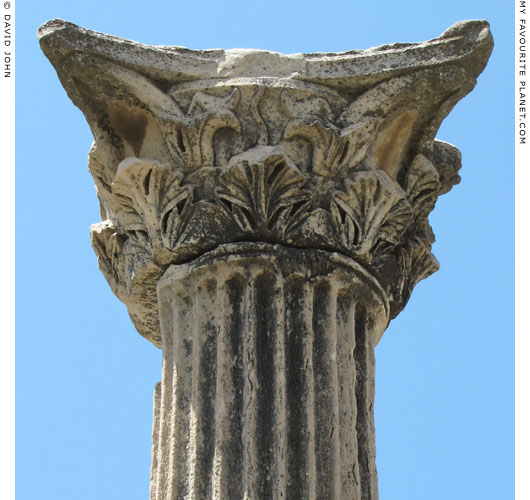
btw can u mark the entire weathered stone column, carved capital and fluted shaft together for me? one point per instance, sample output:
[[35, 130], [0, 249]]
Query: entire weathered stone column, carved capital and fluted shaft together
[[264, 217]]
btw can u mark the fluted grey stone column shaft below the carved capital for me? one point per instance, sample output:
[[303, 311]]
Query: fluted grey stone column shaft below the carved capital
[[268, 377]]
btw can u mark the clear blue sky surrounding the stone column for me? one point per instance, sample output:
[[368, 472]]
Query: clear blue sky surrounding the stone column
[[85, 378]]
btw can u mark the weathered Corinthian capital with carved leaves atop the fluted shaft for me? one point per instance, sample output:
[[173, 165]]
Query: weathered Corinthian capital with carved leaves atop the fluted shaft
[[194, 149]]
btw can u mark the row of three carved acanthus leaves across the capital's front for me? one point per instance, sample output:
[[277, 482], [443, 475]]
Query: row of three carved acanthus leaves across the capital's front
[[266, 196]]
